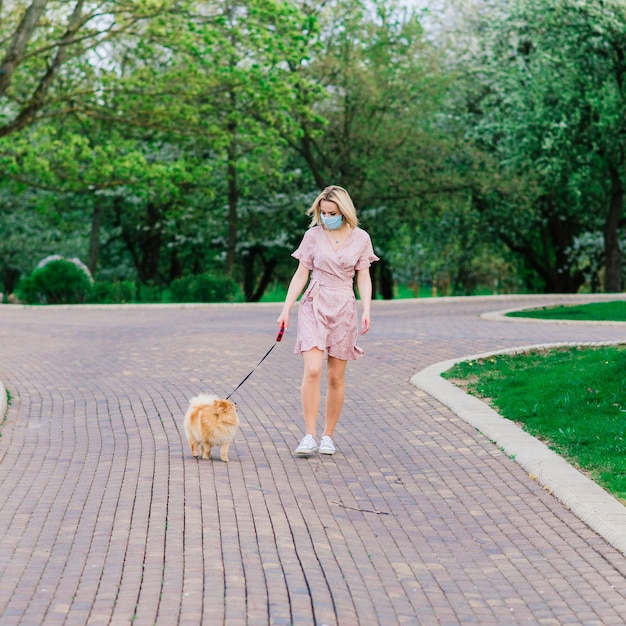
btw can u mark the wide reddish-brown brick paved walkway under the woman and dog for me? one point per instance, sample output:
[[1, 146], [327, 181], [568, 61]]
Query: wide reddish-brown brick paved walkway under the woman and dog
[[105, 518]]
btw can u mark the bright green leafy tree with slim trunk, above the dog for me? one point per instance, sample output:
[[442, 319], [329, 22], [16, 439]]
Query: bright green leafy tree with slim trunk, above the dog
[[211, 85]]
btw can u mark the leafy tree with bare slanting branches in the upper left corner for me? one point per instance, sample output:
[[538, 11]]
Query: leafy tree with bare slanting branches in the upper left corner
[[53, 59]]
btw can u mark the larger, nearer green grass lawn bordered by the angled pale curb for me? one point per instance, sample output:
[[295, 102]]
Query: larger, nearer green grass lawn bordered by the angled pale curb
[[573, 399]]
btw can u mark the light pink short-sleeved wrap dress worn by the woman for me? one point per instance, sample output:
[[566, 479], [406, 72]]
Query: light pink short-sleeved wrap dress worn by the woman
[[327, 315]]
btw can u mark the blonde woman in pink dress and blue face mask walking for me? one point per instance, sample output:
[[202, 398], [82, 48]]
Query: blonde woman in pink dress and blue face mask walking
[[332, 250]]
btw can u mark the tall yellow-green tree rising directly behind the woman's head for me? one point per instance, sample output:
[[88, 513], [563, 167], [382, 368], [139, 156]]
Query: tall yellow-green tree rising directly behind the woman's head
[[364, 116]]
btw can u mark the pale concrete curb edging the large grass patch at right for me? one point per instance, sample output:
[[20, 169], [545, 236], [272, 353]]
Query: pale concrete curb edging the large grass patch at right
[[588, 501]]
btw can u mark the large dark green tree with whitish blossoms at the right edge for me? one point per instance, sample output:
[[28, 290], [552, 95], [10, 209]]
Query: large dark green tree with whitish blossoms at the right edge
[[545, 100]]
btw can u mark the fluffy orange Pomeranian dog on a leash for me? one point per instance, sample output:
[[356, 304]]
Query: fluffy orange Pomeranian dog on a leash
[[210, 421]]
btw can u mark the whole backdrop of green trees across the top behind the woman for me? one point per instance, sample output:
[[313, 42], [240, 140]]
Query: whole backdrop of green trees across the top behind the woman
[[171, 137]]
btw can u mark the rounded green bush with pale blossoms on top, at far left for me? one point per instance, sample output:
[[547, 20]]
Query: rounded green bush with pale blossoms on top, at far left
[[57, 282]]
